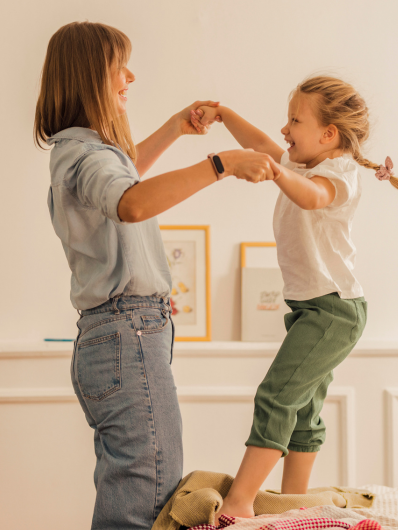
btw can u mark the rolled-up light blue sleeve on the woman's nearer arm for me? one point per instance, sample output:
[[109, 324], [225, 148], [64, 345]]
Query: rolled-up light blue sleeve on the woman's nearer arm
[[101, 181]]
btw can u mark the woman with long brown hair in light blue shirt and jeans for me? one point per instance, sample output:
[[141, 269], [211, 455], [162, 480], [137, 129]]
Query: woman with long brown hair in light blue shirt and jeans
[[105, 218]]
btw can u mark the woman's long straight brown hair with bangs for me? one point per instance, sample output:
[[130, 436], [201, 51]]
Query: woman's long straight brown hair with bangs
[[76, 84]]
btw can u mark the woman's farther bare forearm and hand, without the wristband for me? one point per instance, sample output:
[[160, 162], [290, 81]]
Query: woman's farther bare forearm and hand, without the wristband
[[150, 149]]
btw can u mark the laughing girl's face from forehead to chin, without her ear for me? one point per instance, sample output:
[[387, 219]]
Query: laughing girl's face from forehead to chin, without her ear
[[303, 131]]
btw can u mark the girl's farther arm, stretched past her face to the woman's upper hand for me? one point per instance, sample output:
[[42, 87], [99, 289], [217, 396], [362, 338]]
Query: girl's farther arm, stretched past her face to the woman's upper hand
[[244, 132]]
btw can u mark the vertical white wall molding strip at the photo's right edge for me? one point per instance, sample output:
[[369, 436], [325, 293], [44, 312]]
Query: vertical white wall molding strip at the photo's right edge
[[391, 402]]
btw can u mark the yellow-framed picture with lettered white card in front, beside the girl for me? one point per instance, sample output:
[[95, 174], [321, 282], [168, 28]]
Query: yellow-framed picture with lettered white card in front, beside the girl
[[263, 305]]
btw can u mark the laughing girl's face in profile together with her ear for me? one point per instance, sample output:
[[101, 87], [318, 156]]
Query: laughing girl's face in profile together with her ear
[[310, 142]]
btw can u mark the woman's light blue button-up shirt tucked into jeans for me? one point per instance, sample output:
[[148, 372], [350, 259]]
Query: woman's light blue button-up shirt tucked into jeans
[[107, 257]]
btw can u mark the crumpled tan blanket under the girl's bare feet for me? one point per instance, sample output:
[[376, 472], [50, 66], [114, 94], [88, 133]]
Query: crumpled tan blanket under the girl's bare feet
[[200, 494]]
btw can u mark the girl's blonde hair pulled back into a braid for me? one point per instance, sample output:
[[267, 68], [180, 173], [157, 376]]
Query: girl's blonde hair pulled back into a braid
[[338, 103]]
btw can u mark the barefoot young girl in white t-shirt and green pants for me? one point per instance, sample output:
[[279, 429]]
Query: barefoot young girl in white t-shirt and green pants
[[320, 188]]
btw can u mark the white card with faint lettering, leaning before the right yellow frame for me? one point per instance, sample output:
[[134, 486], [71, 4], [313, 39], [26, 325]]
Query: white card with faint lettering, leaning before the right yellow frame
[[263, 305]]
